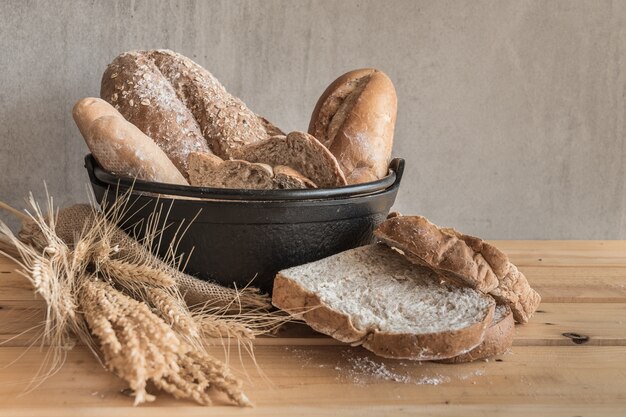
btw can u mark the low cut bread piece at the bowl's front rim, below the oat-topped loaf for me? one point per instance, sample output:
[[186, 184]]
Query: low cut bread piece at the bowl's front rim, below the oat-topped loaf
[[207, 170]]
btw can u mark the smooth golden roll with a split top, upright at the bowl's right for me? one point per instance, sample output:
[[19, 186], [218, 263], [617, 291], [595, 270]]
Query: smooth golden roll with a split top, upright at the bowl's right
[[355, 118]]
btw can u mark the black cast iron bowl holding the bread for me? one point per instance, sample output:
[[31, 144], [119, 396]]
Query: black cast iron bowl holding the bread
[[237, 235]]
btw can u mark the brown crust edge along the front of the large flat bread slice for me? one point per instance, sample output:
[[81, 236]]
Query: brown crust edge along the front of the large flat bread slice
[[306, 305]]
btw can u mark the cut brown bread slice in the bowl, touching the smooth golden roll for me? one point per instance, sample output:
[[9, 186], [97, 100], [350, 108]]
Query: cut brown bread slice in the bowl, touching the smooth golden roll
[[299, 151]]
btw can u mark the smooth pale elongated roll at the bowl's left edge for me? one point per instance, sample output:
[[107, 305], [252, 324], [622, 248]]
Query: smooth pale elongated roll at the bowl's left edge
[[120, 147]]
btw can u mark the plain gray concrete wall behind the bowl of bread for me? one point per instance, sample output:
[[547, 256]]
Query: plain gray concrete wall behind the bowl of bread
[[511, 113]]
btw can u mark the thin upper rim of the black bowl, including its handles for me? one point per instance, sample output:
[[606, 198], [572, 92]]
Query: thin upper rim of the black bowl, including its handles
[[99, 174]]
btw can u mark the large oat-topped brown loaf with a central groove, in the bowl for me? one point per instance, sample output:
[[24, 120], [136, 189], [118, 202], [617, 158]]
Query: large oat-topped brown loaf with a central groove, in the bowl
[[180, 105]]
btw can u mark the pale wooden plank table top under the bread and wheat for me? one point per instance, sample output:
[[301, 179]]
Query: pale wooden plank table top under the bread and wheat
[[583, 286]]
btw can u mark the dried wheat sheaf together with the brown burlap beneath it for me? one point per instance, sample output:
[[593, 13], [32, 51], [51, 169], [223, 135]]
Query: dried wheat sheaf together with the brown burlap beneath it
[[107, 290]]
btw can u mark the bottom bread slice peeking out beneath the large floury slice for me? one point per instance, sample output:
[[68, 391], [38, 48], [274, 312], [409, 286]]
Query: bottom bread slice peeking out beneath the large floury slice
[[498, 338]]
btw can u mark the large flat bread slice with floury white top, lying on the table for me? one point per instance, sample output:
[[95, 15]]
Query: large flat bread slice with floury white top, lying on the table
[[373, 296]]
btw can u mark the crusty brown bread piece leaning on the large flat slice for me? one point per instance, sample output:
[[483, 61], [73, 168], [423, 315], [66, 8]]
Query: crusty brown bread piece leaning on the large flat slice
[[463, 259]]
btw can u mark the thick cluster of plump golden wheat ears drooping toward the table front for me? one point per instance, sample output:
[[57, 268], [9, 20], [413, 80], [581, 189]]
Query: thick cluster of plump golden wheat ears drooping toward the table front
[[139, 347]]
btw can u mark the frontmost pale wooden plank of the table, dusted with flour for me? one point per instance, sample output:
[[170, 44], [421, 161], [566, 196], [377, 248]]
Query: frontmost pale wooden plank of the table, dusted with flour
[[308, 377]]
